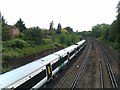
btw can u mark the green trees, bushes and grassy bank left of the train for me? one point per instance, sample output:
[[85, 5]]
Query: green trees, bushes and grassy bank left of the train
[[34, 39]]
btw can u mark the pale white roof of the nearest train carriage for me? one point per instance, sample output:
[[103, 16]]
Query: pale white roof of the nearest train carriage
[[23, 71]]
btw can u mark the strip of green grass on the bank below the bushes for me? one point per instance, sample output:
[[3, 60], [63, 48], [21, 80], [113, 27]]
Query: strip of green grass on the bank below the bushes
[[12, 54]]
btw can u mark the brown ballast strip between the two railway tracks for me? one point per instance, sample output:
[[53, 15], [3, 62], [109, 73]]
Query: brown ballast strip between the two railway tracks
[[93, 71]]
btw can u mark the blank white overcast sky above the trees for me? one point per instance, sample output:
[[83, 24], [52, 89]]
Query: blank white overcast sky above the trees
[[80, 15]]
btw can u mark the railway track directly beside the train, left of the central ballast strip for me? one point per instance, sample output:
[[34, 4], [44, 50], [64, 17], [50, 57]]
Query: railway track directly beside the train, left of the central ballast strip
[[78, 66]]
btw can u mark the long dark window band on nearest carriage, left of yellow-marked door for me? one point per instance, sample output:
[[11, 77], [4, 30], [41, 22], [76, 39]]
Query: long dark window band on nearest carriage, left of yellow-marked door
[[33, 81]]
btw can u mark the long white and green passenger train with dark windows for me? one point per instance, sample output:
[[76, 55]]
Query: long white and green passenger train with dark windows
[[39, 72]]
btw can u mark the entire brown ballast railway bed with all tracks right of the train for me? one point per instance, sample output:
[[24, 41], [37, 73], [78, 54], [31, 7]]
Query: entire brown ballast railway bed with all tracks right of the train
[[93, 69]]
